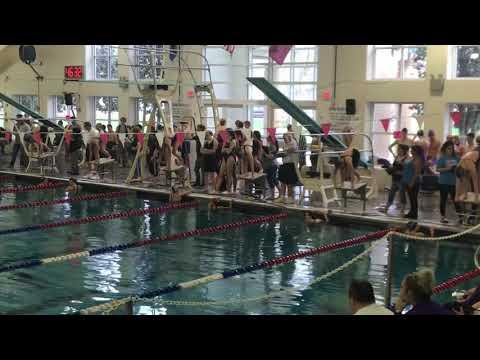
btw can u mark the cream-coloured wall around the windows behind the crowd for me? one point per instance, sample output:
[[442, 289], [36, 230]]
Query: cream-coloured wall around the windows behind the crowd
[[351, 81]]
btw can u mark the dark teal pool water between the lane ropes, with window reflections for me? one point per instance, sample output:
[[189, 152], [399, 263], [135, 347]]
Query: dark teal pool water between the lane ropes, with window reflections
[[64, 288]]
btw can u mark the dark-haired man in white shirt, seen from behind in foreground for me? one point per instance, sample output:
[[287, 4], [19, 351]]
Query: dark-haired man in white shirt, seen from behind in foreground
[[362, 299]]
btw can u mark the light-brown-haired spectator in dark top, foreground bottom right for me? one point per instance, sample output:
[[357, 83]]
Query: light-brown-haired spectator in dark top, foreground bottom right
[[415, 296]]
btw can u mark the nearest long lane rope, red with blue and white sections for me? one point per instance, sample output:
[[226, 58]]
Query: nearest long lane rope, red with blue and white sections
[[110, 306]]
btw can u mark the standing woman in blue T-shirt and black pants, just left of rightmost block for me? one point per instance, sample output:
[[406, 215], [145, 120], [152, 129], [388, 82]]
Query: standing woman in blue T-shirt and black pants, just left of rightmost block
[[446, 166]]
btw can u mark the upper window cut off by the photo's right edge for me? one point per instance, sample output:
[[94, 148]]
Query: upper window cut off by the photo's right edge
[[466, 61]]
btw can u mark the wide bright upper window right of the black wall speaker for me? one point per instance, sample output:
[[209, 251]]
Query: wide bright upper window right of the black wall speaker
[[399, 62]]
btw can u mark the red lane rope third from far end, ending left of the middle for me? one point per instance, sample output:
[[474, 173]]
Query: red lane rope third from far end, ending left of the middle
[[97, 218]]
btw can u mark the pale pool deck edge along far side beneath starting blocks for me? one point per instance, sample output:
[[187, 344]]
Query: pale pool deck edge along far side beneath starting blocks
[[428, 213]]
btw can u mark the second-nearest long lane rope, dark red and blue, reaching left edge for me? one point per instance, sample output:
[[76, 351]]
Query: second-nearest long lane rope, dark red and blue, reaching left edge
[[109, 249]]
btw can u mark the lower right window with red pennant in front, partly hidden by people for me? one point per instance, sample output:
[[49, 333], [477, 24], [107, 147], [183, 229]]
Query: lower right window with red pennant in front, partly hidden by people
[[401, 115]]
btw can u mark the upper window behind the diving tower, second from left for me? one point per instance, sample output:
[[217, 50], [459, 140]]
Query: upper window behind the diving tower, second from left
[[147, 56]]
